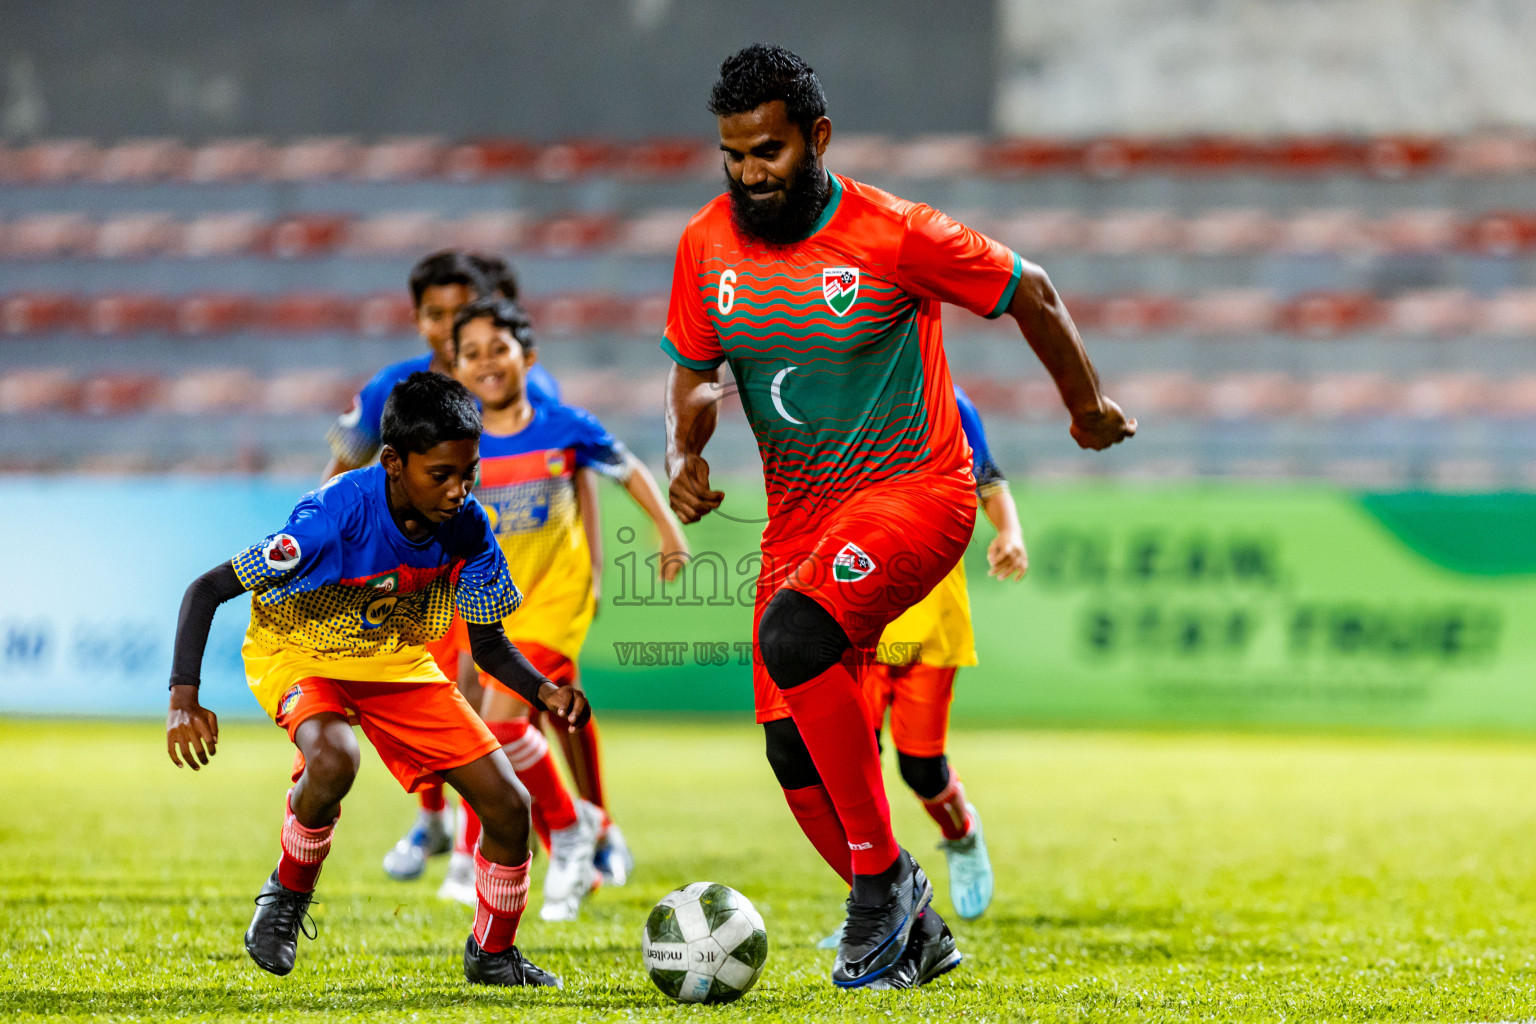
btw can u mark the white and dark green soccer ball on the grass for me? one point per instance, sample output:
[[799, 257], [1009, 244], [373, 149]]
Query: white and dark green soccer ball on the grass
[[704, 943]]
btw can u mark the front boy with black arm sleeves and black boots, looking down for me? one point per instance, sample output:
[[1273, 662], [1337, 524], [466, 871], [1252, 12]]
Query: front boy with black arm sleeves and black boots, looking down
[[366, 572]]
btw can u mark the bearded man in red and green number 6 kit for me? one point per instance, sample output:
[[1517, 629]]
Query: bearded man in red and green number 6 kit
[[824, 297]]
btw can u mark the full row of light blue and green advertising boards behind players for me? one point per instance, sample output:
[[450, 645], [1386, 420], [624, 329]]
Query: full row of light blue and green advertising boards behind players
[[1185, 606]]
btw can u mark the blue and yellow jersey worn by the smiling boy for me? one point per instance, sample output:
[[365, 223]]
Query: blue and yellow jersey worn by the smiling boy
[[528, 486]]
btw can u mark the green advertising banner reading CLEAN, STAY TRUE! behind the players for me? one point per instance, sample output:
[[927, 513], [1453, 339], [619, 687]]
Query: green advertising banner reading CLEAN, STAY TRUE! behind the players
[[1202, 604]]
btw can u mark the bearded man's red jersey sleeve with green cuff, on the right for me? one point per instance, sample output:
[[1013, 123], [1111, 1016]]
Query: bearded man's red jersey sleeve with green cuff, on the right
[[941, 259]]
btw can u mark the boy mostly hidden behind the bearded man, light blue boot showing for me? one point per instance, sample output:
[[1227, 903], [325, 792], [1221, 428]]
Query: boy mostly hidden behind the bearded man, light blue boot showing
[[915, 676]]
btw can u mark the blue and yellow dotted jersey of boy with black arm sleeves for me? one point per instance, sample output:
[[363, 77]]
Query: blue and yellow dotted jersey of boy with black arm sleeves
[[340, 581]]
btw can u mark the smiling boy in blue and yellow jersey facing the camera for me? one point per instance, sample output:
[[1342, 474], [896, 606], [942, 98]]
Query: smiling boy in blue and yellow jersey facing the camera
[[532, 463]]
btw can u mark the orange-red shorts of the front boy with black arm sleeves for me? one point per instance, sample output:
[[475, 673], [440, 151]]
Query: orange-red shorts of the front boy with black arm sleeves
[[419, 728]]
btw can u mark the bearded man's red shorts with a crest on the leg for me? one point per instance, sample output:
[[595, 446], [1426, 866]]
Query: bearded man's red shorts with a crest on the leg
[[867, 563]]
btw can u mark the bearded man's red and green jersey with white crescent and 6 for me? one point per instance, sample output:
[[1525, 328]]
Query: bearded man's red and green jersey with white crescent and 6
[[835, 342]]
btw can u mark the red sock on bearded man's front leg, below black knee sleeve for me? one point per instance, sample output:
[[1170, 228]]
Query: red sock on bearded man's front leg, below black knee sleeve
[[832, 718]]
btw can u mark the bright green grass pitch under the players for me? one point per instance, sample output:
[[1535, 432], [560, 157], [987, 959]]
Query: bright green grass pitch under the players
[[1140, 879]]
